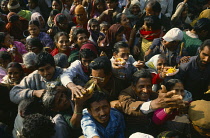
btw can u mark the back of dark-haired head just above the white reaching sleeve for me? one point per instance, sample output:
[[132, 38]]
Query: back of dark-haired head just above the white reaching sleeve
[[61, 60]]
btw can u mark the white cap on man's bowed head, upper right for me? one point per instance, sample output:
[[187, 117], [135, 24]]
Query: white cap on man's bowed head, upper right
[[175, 34]]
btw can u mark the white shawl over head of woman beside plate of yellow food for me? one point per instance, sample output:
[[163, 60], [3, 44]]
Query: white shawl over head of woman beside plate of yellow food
[[152, 63]]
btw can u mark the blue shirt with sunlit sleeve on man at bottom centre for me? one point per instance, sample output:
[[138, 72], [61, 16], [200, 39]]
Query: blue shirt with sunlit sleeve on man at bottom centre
[[114, 129]]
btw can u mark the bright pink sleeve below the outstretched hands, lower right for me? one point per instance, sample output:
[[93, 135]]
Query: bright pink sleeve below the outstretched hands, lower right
[[159, 116]]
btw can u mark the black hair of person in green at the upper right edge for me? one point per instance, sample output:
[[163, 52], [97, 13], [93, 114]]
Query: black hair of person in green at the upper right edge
[[202, 24]]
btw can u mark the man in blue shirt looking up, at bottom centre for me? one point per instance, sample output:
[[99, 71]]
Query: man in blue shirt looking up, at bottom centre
[[100, 120]]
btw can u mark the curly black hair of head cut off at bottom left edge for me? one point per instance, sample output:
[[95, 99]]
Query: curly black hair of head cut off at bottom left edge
[[38, 126]]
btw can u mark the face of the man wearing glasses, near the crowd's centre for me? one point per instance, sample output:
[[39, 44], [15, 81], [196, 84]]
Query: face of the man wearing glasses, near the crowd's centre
[[100, 77]]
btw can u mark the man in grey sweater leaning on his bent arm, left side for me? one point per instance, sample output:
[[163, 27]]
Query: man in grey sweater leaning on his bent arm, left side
[[34, 85]]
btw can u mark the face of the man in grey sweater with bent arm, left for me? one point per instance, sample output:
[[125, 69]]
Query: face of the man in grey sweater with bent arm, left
[[47, 71]]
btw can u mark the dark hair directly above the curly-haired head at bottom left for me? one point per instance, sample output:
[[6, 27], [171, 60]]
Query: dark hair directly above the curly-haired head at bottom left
[[29, 106]]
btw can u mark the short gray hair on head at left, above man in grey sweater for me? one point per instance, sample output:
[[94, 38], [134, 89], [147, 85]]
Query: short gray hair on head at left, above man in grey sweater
[[29, 59]]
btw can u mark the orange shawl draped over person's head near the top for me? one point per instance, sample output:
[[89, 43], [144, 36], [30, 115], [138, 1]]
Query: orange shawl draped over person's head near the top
[[81, 10]]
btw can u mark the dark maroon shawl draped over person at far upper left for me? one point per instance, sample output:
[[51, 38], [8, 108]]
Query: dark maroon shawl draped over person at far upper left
[[14, 28]]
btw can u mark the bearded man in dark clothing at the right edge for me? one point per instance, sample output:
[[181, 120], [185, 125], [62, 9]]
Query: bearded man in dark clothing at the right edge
[[195, 74]]
